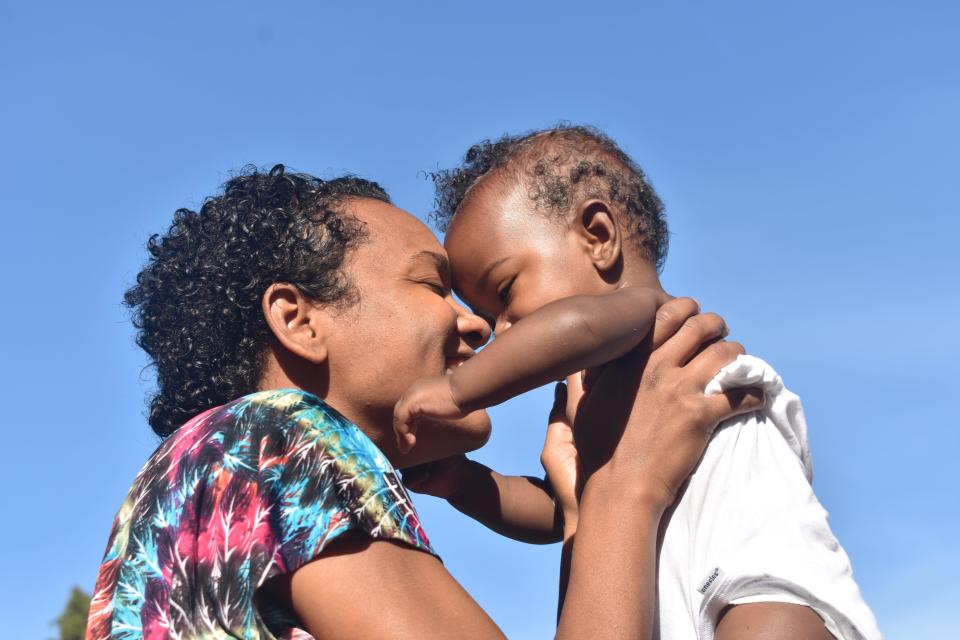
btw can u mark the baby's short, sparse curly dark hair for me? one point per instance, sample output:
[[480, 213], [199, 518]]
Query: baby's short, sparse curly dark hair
[[561, 166]]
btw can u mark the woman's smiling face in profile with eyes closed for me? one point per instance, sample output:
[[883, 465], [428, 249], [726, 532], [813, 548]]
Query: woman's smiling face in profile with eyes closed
[[406, 325]]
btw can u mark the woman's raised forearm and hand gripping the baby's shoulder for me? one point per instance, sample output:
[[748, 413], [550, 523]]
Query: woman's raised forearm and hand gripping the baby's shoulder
[[645, 417]]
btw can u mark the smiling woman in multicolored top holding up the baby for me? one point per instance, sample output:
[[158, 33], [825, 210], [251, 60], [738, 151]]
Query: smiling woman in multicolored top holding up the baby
[[284, 320]]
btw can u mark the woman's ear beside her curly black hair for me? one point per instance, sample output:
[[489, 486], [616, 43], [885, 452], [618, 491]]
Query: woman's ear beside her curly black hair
[[296, 322]]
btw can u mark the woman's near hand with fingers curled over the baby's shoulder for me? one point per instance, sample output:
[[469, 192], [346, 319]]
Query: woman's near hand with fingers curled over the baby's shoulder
[[651, 445]]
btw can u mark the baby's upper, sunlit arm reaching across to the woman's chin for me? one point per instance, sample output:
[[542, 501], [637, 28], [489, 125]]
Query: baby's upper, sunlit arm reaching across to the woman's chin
[[561, 338]]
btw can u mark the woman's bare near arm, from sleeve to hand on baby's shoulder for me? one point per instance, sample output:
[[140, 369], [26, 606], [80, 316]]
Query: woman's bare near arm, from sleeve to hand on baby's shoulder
[[360, 588]]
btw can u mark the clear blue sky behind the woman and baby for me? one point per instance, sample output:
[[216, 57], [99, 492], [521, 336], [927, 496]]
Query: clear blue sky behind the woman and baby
[[807, 153]]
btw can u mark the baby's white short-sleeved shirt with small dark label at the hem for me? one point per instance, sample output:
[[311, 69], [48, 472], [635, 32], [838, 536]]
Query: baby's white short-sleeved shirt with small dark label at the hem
[[748, 527]]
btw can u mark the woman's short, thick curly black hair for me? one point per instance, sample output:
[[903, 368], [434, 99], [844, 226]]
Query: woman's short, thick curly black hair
[[197, 302]]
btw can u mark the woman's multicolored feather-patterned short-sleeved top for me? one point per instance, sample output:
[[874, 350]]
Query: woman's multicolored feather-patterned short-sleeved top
[[239, 494]]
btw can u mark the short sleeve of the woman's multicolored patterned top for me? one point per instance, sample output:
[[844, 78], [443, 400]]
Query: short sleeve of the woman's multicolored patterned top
[[325, 477]]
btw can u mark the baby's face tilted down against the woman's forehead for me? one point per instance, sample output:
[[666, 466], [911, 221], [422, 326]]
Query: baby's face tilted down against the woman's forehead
[[509, 259]]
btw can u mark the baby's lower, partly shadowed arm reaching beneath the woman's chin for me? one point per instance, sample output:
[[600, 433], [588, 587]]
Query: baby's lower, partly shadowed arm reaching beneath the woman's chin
[[518, 507]]
